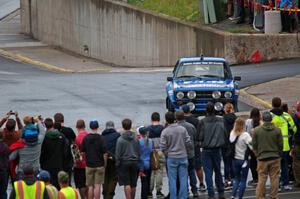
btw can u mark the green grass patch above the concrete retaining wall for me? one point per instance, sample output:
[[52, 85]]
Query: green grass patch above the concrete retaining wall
[[187, 10]]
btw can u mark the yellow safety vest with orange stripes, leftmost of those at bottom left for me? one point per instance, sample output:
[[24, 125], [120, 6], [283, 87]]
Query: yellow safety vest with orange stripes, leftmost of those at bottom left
[[34, 191]]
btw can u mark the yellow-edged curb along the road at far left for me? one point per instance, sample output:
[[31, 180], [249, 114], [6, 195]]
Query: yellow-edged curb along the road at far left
[[24, 59]]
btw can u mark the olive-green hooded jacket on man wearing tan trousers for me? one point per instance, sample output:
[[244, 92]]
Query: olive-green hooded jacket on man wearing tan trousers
[[267, 141]]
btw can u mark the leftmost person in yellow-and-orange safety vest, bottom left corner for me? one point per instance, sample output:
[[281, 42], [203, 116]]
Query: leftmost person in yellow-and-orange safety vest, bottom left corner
[[29, 187]]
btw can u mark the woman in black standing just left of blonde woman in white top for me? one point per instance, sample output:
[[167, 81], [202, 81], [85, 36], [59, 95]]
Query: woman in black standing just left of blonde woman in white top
[[229, 119]]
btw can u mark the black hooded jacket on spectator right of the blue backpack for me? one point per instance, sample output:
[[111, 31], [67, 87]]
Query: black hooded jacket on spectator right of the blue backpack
[[54, 149]]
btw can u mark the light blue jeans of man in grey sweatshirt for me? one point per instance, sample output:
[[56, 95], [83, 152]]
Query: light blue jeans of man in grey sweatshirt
[[178, 167]]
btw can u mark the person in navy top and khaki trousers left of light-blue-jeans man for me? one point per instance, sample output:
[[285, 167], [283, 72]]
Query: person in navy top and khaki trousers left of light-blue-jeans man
[[155, 130]]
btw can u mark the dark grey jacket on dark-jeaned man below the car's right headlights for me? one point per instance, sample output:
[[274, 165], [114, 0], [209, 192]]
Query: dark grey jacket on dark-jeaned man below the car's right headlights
[[212, 133]]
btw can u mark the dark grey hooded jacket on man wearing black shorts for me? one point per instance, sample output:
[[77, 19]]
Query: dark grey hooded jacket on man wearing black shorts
[[128, 148]]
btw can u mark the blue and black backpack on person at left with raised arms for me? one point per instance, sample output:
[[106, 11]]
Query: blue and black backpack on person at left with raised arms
[[30, 134]]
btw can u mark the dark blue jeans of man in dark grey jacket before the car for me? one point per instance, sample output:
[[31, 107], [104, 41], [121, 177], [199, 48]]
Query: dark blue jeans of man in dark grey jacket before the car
[[211, 160]]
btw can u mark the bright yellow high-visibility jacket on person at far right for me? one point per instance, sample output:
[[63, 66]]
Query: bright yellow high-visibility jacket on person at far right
[[282, 121]]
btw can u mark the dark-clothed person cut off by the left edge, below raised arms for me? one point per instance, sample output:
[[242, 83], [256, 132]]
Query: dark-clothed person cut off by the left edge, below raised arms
[[4, 156]]
